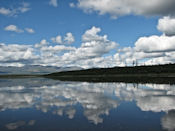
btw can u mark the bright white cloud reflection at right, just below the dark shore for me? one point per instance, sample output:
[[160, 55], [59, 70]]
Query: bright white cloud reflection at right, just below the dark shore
[[149, 97]]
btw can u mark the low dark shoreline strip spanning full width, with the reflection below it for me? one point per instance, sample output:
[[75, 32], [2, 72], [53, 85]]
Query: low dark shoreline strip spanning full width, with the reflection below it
[[136, 78]]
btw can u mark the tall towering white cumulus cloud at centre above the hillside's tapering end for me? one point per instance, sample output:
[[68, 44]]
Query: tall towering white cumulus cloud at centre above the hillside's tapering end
[[93, 46]]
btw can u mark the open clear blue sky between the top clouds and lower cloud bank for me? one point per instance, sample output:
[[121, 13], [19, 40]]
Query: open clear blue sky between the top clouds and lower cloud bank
[[48, 21]]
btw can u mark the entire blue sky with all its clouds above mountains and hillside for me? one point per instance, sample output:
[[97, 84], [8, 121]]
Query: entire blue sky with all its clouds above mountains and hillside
[[86, 33]]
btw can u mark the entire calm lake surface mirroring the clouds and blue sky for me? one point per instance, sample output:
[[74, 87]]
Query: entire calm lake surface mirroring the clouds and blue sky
[[38, 104]]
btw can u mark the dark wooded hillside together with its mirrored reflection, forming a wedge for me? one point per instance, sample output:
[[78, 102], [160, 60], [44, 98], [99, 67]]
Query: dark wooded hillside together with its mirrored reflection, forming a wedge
[[162, 74]]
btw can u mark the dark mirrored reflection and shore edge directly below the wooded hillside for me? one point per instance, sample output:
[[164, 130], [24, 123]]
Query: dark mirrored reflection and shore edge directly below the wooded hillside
[[117, 78]]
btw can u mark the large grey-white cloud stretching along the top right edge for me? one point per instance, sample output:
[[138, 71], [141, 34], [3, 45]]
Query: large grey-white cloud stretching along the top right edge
[[124, 7]]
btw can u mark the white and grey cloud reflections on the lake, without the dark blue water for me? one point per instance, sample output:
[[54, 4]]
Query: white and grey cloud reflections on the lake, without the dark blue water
[[96, 99]]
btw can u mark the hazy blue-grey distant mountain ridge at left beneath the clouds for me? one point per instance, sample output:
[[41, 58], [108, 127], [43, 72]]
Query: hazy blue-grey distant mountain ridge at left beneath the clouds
[[35, 69]]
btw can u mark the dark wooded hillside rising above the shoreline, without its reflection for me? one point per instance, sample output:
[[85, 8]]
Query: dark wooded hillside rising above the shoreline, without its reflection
[[156, 69]]
